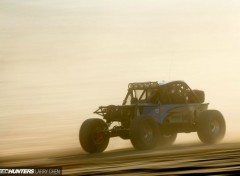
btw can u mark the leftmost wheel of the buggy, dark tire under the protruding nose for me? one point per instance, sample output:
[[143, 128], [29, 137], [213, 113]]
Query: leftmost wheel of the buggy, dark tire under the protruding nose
[[93, 135]]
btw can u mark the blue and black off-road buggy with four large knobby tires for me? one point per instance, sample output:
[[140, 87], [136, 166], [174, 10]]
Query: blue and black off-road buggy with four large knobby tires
[[152, 114]]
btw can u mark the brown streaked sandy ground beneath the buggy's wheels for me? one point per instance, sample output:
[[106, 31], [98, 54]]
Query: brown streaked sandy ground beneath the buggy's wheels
[[190, 158]]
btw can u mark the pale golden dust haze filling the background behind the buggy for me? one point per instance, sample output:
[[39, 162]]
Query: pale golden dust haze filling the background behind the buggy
[[60, 60]]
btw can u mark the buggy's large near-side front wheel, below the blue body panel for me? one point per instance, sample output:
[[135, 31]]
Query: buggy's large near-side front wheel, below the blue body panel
[[144, 133]]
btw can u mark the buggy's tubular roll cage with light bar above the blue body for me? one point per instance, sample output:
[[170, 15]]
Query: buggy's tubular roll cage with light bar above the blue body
[[177, 92]]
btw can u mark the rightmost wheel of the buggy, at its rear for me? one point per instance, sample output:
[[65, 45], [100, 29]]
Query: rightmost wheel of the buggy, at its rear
[[211, 127]]
